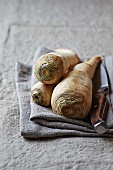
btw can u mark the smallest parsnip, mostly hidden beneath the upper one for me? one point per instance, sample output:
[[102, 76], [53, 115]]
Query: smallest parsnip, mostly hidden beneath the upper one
[[41, 93]]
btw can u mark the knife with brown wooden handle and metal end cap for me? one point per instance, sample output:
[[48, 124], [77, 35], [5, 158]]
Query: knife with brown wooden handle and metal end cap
[[99, 101]]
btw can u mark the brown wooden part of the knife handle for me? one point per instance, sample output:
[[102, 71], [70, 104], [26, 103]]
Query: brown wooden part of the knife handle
[[97, 112]]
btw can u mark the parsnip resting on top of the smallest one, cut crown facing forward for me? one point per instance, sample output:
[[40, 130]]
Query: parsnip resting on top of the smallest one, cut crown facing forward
[[51, 67]]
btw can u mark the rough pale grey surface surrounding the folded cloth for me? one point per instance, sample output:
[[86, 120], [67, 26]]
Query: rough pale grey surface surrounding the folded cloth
[[85, 26]]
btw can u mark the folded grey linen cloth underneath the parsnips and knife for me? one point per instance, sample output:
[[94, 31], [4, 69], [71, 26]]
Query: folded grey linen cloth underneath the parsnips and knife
[[37, 121]]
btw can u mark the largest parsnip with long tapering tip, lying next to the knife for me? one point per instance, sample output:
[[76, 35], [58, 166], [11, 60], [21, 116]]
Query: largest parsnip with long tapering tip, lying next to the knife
[[72, 97]]
